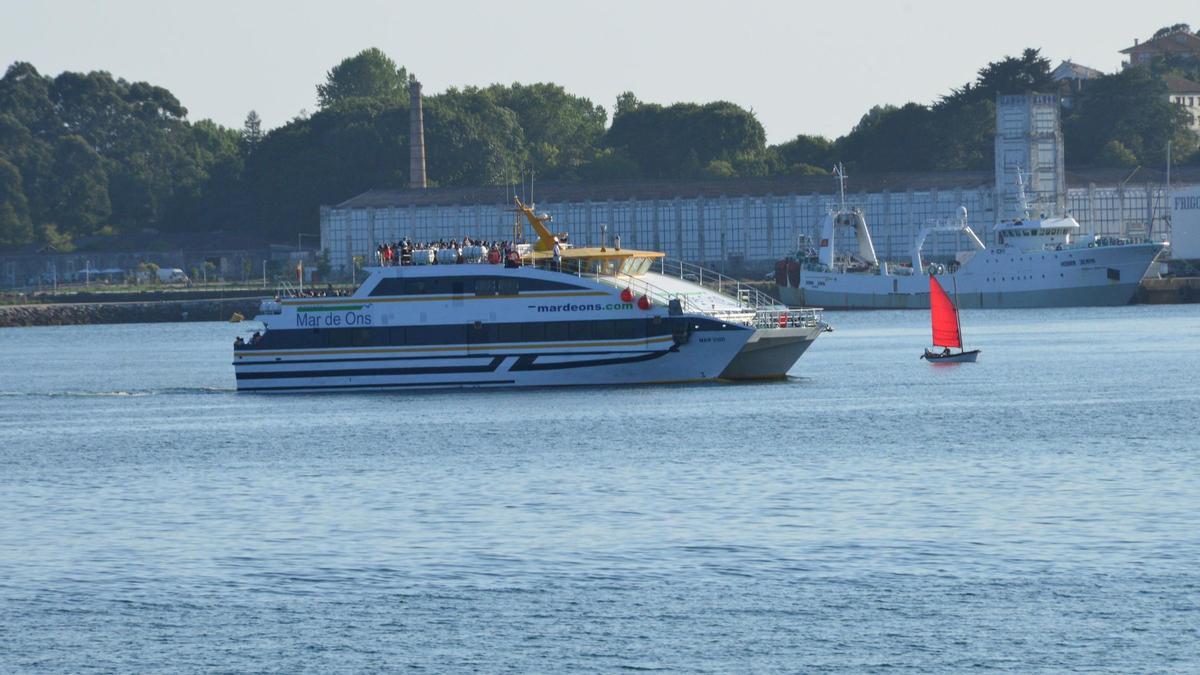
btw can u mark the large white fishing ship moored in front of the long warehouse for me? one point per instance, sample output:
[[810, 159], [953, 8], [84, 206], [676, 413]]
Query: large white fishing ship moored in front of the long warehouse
[[1037, 262]]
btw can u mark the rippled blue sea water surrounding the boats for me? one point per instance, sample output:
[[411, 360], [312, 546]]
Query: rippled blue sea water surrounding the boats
[[1036, 511]]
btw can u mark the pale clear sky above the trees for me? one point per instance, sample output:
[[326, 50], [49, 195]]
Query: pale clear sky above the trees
[[803, 68]]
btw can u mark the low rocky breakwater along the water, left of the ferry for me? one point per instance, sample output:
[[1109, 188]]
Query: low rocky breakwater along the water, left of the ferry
[[65, 314]]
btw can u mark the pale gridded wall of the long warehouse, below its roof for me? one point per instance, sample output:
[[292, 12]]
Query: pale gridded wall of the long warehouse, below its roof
[[749, 229]]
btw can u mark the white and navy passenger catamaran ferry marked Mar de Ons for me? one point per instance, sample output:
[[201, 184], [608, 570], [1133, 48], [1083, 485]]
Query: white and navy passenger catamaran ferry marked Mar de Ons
[[586, 316]]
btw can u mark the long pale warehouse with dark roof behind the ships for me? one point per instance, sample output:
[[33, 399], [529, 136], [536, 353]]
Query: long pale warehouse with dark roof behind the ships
[[734, 225]]
